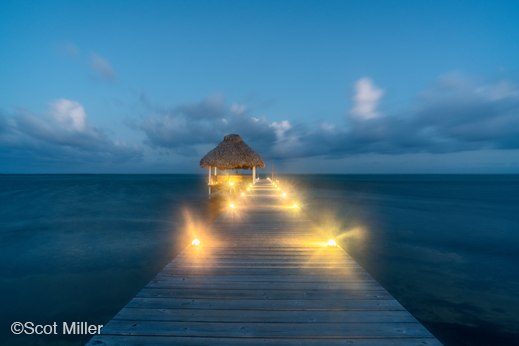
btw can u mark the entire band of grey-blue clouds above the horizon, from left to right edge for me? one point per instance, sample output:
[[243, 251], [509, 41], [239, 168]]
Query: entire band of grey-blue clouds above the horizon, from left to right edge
[[454, 115]]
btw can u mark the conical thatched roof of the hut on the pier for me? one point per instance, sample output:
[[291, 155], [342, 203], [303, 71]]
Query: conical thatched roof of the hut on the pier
[[232, 153]]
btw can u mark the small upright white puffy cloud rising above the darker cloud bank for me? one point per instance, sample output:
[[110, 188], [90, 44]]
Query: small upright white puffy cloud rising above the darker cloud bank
[[366, 99]]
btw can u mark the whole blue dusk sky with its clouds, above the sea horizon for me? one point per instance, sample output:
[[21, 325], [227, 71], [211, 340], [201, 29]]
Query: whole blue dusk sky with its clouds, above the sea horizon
[[313, 86]]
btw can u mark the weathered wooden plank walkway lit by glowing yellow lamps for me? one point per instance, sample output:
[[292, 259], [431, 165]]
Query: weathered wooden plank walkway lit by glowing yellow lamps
[[263, 275]]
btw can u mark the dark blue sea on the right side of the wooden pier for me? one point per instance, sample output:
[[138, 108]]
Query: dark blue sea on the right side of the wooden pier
[[445, 246]]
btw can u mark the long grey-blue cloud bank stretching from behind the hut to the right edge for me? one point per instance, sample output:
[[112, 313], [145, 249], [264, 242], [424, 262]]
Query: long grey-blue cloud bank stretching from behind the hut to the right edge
[[455, 114]]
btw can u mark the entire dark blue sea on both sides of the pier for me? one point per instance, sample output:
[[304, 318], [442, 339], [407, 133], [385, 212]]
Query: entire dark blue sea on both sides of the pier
[[79, 247]]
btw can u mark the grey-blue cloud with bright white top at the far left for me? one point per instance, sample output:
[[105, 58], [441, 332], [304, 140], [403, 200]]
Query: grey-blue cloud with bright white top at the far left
[[63, 132]]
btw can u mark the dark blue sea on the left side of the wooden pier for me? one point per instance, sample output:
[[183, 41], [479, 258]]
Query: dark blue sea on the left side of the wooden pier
[[79, 247]]
